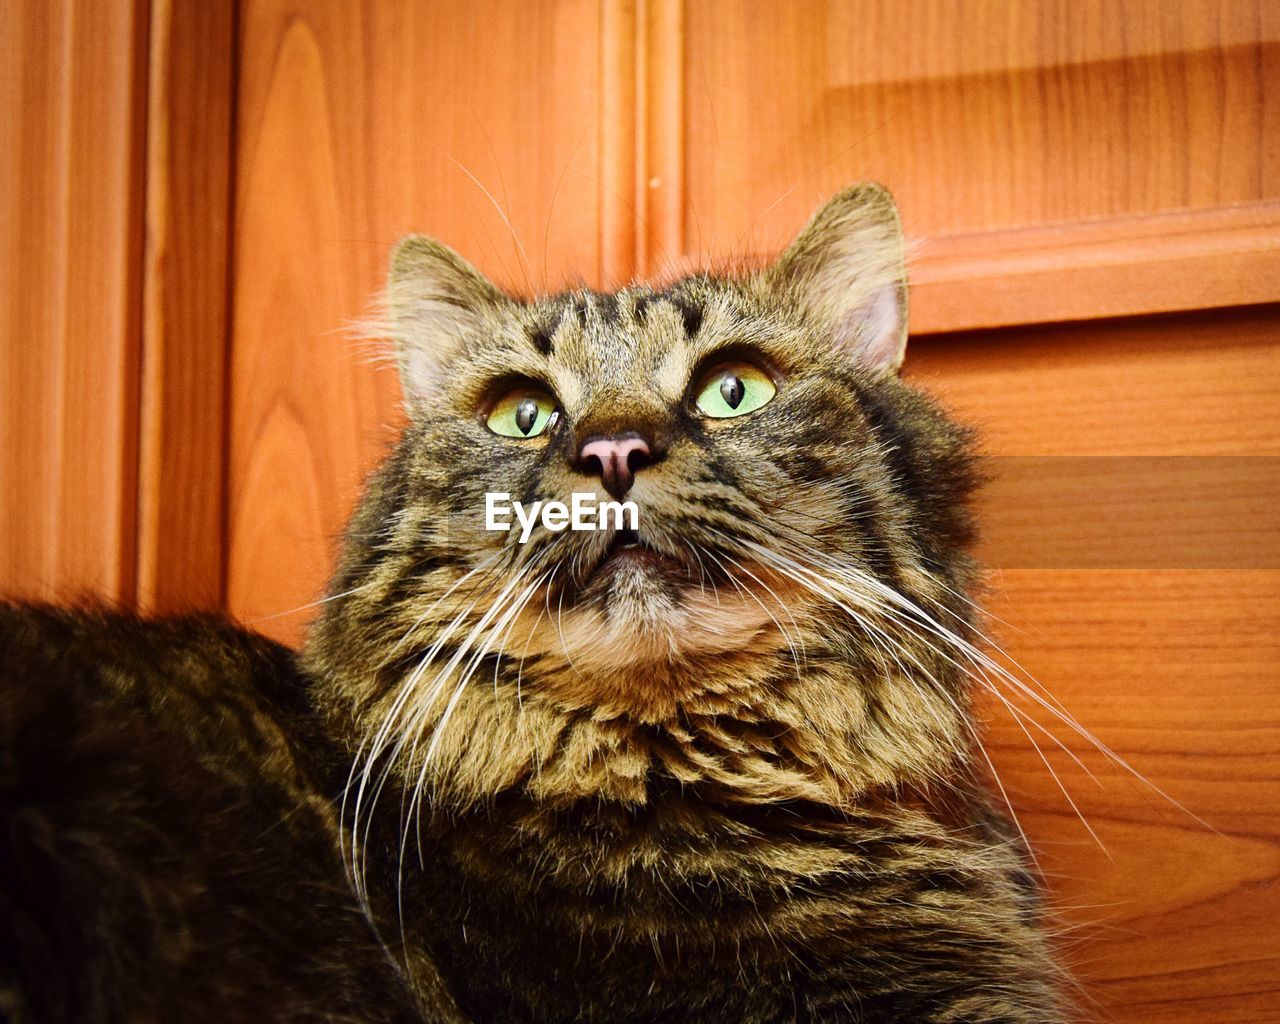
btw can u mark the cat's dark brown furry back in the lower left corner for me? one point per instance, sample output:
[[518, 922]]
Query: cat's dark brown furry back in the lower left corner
[[168, 840]]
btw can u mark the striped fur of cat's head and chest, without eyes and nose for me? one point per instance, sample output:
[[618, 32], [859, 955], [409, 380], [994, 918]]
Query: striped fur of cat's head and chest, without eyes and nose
[[744, 789]]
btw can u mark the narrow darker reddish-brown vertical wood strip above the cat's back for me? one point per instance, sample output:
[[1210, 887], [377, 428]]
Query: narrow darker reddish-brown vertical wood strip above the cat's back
[[185, 351]]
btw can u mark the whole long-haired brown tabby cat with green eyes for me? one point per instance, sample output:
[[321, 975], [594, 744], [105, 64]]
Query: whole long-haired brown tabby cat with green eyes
[[720, 767]]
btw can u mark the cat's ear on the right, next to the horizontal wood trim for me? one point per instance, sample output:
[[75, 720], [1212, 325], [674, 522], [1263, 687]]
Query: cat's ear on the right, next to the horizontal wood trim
[[848, 268]]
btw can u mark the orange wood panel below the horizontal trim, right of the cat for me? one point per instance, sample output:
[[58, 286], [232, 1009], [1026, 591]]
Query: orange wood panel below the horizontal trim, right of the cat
[[1174, 670]]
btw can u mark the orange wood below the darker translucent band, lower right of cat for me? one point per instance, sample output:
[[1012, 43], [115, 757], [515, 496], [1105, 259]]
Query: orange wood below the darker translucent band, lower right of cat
[[1173, 921]]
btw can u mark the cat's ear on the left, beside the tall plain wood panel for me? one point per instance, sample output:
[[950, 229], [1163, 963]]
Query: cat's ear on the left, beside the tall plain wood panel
[[436, 300]]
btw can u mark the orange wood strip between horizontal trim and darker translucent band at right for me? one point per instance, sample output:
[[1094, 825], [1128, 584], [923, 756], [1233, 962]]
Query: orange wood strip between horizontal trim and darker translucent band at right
[[1201, 385]]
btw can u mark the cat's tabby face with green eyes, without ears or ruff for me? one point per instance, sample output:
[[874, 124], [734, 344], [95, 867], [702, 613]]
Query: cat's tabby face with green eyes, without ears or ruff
[[624, 397]]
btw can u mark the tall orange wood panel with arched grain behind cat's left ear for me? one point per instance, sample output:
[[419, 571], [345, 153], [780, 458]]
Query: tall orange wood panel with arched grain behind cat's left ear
[[360, 122]]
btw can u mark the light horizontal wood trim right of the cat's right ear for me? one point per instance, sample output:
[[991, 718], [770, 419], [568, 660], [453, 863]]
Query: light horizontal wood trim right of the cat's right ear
[[1162, 263]]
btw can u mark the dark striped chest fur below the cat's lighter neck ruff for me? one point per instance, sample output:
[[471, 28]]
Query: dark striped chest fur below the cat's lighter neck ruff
[[675, 912]]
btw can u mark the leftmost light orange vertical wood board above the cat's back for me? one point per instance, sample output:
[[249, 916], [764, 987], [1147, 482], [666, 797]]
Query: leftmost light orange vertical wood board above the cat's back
[[72, 108]]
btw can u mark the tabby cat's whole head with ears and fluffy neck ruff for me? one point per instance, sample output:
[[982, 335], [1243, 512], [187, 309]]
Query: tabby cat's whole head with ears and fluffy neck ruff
[[798, 514]]
